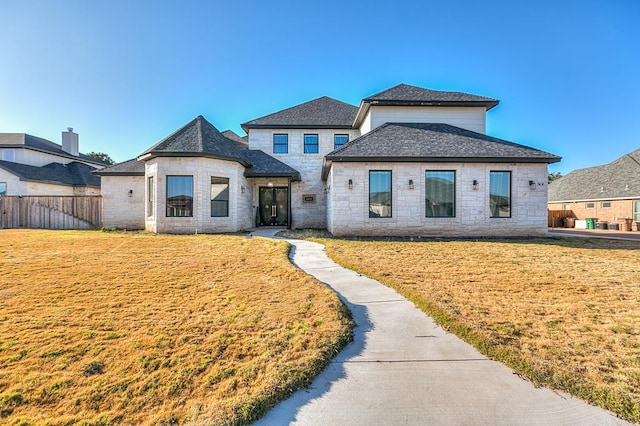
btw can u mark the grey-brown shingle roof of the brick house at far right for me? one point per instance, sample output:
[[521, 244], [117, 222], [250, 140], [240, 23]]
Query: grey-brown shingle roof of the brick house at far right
[[618, 179]]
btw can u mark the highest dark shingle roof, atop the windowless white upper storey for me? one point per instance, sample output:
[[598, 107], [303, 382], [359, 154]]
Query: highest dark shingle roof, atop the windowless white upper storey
[[407, 95]]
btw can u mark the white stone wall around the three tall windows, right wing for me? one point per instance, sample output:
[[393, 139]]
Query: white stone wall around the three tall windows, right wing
[[349, 212]]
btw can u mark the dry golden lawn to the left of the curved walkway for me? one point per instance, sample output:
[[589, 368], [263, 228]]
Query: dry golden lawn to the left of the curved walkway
[[101, 328]]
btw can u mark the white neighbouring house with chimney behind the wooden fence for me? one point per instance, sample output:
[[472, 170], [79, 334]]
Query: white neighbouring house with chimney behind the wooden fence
[[30, 165]]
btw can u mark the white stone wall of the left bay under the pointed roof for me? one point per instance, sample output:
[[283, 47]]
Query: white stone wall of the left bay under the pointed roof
[[202, 169]]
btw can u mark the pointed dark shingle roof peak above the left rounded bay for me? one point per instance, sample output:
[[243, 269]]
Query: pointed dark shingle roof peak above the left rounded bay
[[197, 138]]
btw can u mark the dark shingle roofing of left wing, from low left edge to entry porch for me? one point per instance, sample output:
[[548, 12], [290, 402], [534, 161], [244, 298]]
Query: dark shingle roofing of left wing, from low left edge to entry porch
[[199, 138]]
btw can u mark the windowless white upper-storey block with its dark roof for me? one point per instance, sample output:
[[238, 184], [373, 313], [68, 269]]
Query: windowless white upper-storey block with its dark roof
[[410, 104]]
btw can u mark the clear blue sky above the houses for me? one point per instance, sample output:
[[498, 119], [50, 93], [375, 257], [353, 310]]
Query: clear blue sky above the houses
[[125, 74]]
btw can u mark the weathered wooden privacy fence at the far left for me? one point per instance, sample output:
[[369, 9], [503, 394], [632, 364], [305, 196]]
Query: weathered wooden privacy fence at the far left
[[54, 212]]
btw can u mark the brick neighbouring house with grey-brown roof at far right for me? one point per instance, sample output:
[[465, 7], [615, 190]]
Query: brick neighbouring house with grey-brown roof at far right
[[610, 192]]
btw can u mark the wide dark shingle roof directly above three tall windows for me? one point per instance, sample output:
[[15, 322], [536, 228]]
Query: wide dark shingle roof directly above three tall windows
[[435, 142]]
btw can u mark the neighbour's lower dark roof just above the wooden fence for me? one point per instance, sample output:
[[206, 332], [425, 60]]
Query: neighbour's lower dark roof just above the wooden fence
[[73, 174]]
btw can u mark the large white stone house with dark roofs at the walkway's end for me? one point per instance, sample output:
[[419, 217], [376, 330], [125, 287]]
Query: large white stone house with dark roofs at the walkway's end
[[407, 161]]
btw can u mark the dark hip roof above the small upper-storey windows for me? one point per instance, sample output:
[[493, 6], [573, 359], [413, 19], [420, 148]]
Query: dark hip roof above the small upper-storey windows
[[321, 113]]
